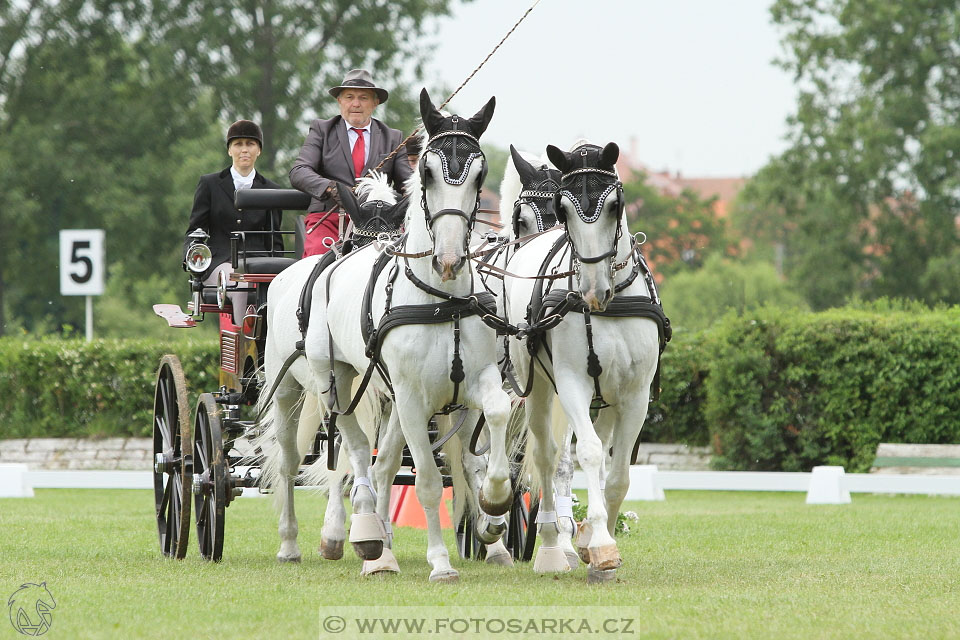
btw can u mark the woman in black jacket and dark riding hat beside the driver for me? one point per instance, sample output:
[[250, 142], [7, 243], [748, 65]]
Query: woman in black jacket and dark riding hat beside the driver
[[214, 212]]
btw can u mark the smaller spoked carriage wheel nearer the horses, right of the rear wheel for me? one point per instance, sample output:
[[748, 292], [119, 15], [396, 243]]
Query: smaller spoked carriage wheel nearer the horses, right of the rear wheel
[[210, 479]]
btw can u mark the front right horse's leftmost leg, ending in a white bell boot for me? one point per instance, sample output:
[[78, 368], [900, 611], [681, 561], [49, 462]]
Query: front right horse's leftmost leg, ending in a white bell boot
[[550, 557]]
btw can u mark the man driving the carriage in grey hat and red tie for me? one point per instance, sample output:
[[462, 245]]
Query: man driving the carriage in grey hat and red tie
[[343, 149]]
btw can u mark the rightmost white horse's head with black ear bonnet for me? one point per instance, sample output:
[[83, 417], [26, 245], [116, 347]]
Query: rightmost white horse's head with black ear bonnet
[[590, 204]]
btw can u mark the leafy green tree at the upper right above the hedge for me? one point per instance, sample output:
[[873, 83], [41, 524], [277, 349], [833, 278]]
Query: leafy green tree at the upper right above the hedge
[[865, 200]]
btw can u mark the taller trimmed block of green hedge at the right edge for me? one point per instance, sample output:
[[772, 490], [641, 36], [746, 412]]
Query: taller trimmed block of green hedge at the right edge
[[788, 390]]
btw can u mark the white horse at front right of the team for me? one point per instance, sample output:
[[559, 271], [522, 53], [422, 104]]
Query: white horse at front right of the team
[[616, 373]]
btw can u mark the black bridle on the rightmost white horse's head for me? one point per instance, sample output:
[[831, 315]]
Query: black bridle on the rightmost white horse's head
[[574, 186]]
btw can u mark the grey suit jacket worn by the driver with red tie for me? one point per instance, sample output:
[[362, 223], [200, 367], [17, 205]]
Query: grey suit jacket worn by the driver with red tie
[[326, 158]]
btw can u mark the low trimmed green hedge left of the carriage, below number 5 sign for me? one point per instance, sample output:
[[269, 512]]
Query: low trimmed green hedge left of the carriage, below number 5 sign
[[55, 388]]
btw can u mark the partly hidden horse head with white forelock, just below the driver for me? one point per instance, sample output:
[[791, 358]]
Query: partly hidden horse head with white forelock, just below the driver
[[375, 210]]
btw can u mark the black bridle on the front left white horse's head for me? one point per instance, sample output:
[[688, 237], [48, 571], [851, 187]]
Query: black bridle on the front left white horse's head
[[449, 145]]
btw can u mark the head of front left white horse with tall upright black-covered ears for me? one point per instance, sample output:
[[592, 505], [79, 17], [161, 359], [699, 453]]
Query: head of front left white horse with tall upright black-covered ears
[[452, 168]]
